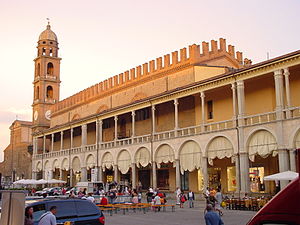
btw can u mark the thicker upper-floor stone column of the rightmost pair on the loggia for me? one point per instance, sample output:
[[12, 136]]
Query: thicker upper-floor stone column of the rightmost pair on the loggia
[[278, 77]]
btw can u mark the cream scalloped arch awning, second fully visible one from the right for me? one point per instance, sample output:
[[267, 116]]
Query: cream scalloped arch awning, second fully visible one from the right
[[220, 147]]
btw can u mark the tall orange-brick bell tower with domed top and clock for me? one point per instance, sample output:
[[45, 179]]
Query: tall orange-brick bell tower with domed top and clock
[[46, 79]]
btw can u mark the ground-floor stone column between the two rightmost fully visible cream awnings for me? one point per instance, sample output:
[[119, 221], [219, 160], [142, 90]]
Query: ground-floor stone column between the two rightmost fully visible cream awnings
[[244, 171]]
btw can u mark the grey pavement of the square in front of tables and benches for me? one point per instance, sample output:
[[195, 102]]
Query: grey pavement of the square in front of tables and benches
[[185, 216]]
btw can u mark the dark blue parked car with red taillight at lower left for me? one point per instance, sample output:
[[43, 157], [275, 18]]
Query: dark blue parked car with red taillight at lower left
[[81, 212]]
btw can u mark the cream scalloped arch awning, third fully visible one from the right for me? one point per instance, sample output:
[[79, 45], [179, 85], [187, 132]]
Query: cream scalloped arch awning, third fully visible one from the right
[[190, 157]]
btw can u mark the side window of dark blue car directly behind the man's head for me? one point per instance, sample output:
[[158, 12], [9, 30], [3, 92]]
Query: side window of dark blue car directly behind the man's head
[[65, 209]]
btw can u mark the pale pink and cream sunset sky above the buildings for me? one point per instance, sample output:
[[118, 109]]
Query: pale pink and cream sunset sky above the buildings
[[99, 39]]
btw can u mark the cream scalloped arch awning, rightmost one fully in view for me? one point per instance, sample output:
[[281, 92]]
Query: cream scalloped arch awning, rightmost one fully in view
[[262, 143]]
